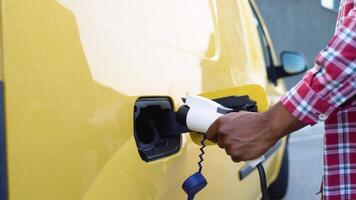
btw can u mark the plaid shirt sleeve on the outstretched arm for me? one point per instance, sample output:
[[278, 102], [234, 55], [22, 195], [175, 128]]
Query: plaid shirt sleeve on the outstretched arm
[[332, 82]]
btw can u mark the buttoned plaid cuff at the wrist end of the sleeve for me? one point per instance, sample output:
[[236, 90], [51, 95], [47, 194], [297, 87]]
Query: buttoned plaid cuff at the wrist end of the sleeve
[[306, 105]]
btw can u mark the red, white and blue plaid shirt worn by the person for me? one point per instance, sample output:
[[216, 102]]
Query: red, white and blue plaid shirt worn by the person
[[328, 93]]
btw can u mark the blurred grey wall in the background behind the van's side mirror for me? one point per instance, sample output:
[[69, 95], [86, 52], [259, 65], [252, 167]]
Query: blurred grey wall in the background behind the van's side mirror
[[298, 25]]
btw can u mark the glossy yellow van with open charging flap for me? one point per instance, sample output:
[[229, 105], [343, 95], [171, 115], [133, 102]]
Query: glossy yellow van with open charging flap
[[72, 71]]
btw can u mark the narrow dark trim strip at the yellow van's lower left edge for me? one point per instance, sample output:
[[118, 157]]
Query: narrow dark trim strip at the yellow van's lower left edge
[[3, 177]]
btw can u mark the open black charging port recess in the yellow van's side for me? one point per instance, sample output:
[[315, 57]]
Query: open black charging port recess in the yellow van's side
[[150, 114]]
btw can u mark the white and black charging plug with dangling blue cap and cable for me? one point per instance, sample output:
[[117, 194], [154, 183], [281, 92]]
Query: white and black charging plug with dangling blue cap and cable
[[196, 115]]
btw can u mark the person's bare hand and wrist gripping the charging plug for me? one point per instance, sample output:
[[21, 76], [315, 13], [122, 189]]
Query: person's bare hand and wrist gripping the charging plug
[[247, 135]]
